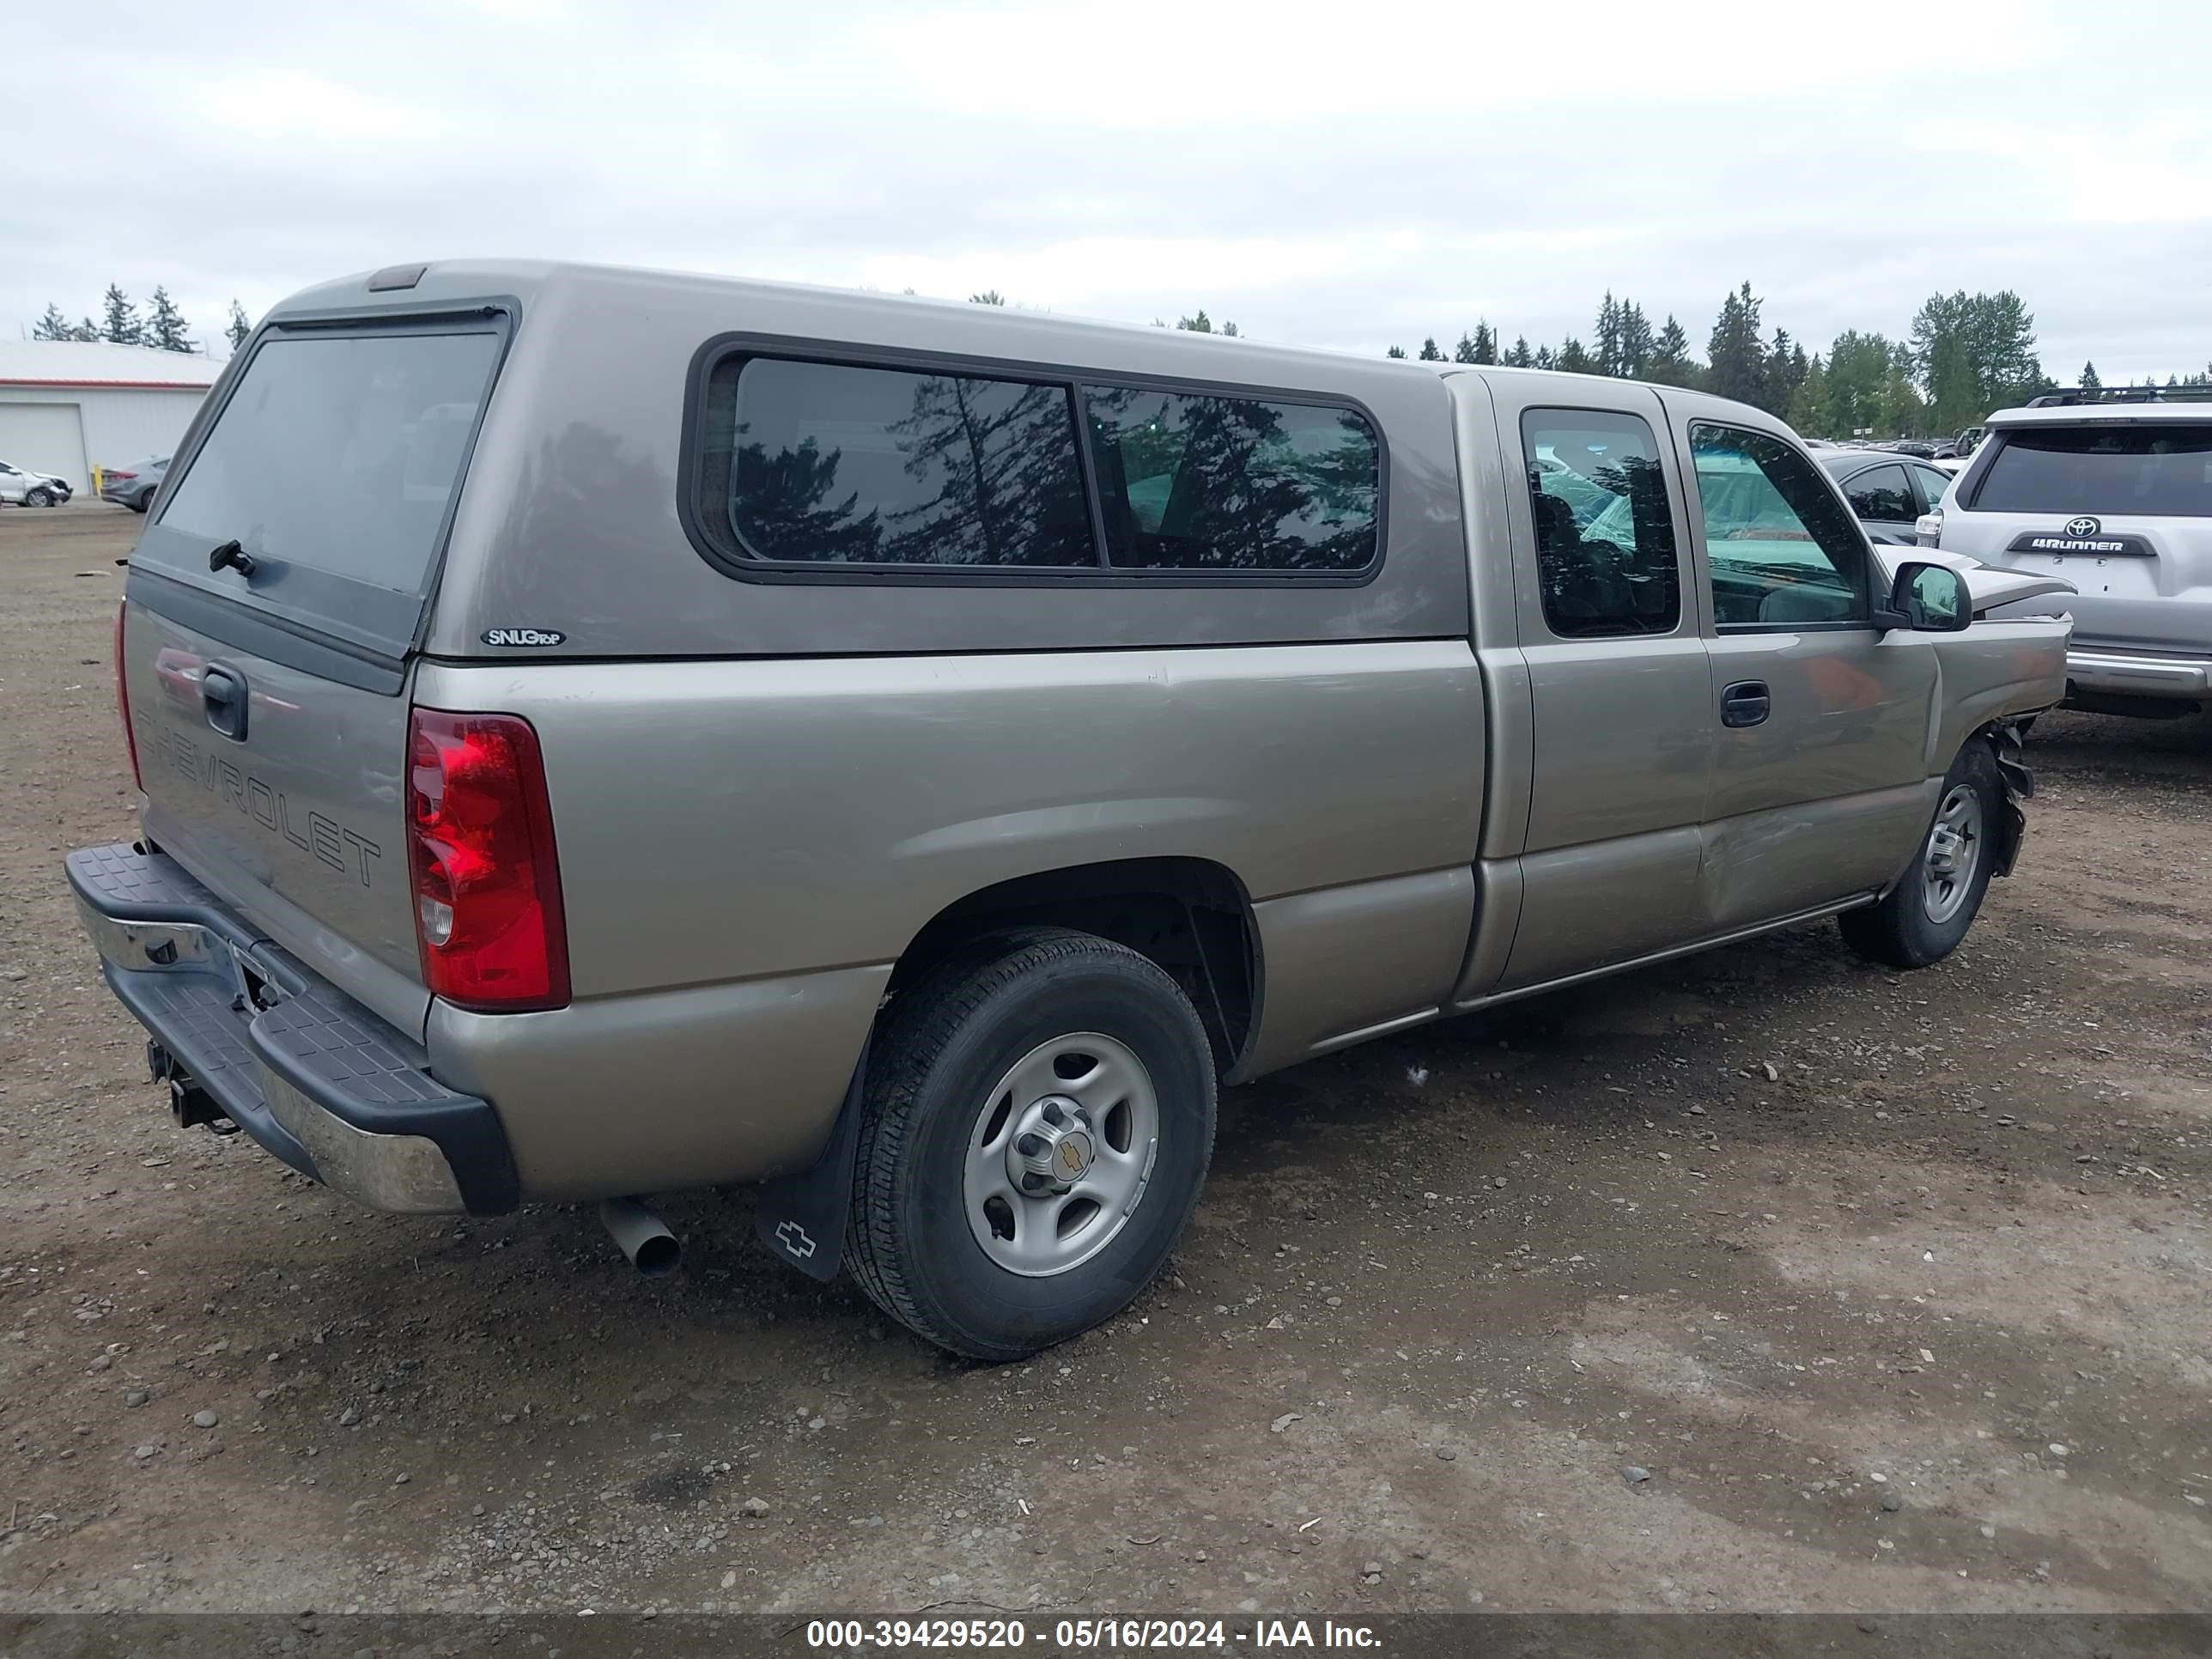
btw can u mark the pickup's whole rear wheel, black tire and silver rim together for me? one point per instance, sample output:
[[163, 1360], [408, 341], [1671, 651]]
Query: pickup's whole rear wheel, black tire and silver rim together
[[1036, 1129]]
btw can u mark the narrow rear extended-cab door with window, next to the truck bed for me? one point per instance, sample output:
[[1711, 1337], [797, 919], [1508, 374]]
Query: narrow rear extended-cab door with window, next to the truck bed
[[1620, 691]]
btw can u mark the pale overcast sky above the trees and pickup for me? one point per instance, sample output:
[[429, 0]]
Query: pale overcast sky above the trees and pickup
[[1335, 176]]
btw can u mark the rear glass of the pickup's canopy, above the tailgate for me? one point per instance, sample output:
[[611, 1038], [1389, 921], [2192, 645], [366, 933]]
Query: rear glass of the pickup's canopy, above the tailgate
[[340, 455]]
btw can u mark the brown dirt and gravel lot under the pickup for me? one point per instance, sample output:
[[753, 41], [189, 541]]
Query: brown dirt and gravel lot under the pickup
[[1760, 1282]]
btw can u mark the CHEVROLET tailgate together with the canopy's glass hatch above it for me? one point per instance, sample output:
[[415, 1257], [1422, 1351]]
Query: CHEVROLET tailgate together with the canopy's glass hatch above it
[[271, 627]]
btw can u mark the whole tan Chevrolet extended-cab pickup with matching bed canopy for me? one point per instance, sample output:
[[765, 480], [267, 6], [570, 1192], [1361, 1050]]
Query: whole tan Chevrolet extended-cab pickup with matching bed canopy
[[607, 733]]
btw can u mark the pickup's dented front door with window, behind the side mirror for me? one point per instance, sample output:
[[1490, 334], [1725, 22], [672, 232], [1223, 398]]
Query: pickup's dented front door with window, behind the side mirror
[[1822, 773]]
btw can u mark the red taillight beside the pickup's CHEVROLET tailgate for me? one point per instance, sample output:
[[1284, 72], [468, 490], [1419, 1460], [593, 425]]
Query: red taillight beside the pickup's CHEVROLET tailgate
[[486, 877]]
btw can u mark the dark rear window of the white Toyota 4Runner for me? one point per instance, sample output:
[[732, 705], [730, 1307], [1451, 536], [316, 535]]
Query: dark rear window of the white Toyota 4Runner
[[2107, 468]]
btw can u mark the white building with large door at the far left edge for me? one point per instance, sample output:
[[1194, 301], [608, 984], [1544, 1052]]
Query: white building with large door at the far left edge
[[72, 406]]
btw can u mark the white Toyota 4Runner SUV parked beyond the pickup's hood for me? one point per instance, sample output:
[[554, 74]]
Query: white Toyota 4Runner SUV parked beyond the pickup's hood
[[2111, 492]]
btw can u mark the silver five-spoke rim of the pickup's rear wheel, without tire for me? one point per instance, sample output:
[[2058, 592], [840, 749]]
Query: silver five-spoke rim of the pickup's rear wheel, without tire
[[1107, 1123]]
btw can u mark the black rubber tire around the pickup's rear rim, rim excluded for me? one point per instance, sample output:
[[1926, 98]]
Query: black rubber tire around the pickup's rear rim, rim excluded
[[932, 1070]]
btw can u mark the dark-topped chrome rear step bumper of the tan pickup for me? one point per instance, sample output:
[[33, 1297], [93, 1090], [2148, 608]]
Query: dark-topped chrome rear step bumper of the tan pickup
[[295, 1063]]
